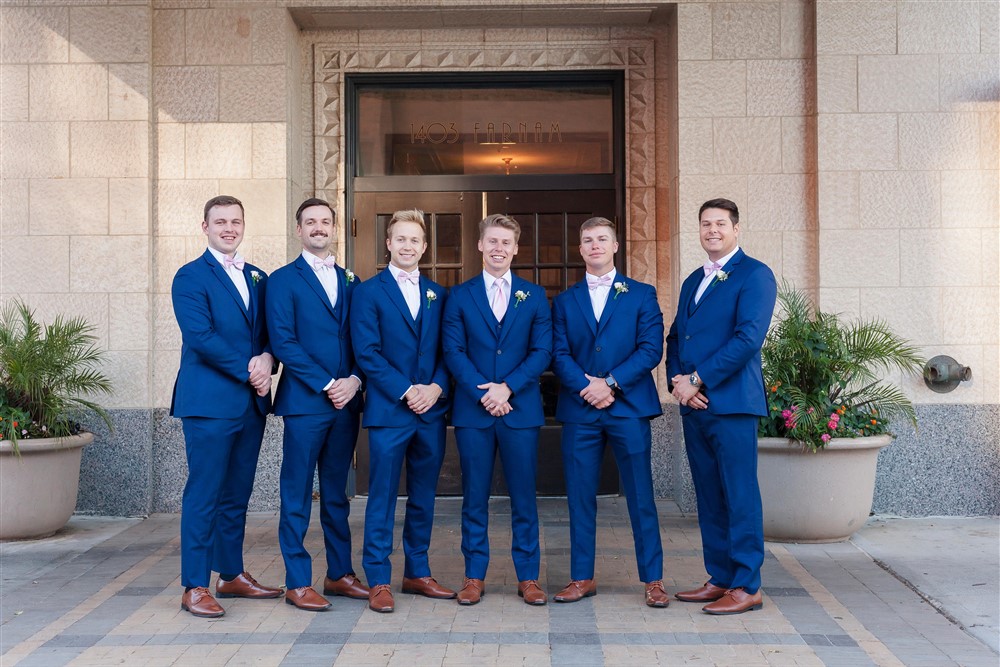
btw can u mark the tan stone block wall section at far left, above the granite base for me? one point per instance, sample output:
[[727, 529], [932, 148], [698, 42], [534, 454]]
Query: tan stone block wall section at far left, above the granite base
[[75, 174]]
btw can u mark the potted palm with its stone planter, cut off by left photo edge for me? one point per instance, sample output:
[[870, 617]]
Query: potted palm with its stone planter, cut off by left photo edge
[[46, 371]]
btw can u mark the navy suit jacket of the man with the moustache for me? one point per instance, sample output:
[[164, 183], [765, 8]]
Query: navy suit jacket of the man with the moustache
[[310, 338]]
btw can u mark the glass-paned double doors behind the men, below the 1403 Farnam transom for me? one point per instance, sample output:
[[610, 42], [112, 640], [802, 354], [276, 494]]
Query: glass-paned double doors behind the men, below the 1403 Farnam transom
[[548, 254]]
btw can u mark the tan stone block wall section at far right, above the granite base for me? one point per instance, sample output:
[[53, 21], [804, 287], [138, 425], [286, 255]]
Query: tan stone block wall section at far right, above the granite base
[[908, 190]]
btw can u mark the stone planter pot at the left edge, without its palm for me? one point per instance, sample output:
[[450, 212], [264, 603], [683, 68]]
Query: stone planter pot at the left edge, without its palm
[[38, 490]]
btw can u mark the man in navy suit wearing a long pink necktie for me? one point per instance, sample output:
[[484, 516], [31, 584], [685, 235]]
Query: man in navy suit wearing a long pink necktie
[[497, 342]]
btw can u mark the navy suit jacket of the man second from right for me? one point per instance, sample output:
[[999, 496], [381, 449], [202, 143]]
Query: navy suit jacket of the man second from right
[[627, 343]]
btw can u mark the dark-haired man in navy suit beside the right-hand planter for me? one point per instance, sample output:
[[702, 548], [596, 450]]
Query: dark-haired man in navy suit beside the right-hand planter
[[713, 362]]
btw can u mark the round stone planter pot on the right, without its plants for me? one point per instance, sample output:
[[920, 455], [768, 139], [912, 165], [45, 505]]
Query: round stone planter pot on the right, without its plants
[[822, 496]]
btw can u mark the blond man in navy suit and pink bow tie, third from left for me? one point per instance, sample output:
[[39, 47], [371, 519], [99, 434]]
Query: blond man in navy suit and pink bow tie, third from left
[[396, 325]]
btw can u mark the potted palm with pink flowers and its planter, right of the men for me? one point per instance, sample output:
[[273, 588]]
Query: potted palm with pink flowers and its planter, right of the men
[[829, 415]]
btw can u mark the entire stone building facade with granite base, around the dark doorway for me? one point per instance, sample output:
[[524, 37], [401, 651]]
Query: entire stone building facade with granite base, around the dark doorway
[[859, 137]]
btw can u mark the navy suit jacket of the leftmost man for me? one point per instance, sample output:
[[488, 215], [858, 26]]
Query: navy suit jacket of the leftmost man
[[219, 336]]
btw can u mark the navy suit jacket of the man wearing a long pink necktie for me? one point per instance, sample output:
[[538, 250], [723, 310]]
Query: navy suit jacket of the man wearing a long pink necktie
[[478, 350]]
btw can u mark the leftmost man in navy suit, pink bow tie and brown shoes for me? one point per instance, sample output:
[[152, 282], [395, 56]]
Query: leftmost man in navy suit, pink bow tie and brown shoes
[[222, 395]]
